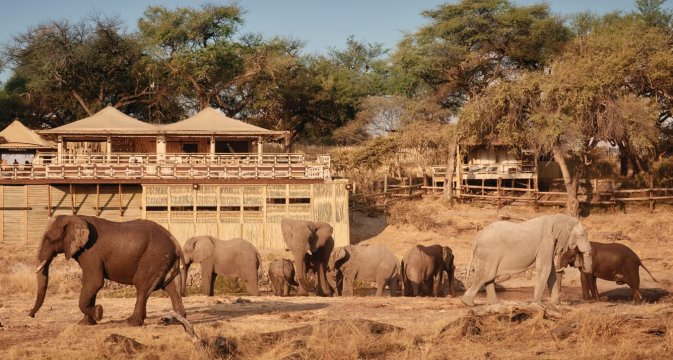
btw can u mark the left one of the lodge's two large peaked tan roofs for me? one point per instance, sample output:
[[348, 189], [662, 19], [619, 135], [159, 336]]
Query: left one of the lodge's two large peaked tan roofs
[[106, 121]]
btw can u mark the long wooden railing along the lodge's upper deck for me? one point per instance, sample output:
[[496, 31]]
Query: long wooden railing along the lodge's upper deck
[[170, 166]]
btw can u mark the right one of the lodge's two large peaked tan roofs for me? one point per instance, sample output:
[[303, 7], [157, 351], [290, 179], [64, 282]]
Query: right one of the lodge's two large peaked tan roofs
[[213, 122]]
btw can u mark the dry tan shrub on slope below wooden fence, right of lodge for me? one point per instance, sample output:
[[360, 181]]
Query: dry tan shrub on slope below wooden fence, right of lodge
[[424, 215]]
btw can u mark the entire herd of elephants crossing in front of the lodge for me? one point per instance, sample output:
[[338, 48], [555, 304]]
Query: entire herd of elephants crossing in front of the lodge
[[144, 254]]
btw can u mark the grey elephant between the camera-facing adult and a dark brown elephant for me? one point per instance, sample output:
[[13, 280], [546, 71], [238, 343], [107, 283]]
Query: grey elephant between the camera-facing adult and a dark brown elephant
[[367, 263]]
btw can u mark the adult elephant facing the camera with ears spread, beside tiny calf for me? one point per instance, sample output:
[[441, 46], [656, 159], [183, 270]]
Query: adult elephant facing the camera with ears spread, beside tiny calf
[[311, 244]]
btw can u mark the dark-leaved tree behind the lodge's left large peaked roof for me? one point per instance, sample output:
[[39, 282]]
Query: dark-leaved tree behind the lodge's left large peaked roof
[[64, 71]]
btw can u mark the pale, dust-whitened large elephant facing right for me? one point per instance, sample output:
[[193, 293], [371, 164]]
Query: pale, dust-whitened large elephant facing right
[[505, 247]]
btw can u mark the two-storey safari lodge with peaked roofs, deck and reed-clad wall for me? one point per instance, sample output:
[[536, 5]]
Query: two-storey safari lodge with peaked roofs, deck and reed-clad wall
[[207, 174]]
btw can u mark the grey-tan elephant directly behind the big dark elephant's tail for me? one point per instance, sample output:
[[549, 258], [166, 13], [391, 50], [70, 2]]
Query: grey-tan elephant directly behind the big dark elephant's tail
[[230, 258]]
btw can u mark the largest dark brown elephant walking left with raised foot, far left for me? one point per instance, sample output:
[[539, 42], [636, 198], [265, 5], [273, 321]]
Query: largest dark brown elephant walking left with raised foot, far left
[[138, 252]]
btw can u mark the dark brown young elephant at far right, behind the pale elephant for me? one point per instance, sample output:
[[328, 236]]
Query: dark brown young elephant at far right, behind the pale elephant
[[613, 262]]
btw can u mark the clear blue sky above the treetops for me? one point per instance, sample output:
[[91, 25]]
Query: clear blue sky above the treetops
[[320, 24]]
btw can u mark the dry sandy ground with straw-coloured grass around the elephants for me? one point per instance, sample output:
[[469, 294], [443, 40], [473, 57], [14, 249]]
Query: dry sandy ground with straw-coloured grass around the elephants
[[430, 328]]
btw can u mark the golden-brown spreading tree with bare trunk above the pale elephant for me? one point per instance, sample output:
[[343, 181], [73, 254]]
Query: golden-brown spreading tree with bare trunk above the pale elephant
[[608, 86]]
